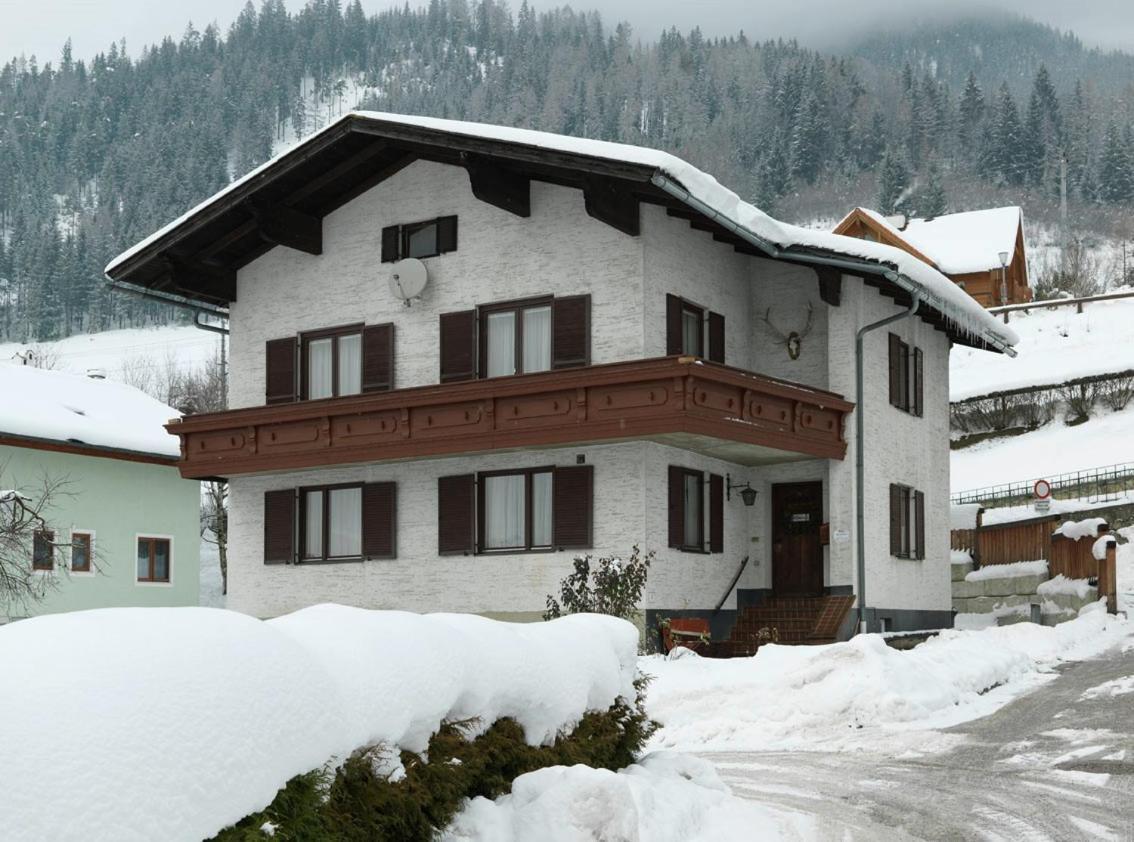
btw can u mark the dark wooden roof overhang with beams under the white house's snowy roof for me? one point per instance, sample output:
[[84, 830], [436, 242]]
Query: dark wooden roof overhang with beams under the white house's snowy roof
[[283, 203]]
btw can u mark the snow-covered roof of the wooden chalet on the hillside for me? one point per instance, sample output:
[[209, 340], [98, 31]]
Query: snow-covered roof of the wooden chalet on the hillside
[[955, 243]]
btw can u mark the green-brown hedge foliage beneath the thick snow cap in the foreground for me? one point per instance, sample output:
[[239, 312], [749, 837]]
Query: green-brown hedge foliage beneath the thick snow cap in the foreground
[[359, 802]]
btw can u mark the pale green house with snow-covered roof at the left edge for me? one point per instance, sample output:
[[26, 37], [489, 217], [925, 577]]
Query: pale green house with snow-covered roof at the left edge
[[120, 526]]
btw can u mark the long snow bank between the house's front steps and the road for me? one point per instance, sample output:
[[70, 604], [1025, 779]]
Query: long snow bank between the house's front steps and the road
[[791, 698]]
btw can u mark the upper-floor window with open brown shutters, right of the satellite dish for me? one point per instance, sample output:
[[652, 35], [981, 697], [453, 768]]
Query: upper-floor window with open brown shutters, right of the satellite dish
[[534, 335]]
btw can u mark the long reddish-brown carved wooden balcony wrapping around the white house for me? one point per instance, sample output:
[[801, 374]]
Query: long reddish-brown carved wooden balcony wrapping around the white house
[[684, 402]]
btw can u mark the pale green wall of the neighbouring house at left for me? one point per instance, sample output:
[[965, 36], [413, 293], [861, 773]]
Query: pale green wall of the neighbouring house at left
[[117, 501]]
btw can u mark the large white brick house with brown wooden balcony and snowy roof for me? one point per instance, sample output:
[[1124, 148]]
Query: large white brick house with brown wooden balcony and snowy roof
[[464, 354]]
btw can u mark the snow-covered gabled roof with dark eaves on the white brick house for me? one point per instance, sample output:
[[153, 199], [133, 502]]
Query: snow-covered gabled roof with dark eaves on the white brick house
[[283, 201]]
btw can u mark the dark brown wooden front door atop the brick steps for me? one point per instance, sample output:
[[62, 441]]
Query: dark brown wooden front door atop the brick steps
[[798, 557]]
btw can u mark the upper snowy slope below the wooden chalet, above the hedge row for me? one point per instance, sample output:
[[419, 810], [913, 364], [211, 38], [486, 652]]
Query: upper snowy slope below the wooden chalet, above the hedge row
[[1055, 346]]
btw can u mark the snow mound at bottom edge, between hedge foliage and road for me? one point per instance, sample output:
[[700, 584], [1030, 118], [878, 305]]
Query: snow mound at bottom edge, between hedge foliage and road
[[664, 798]]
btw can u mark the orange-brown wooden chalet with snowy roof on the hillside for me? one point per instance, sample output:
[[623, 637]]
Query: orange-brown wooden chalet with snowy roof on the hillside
[[983, 252]]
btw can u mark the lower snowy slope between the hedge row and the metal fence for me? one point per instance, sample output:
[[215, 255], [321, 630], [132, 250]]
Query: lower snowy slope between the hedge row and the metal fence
[[1106, 439]]
